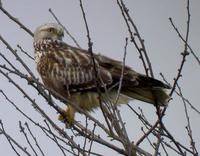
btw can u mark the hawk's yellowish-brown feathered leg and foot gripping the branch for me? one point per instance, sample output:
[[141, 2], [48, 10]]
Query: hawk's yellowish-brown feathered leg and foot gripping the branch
[[67, 116]]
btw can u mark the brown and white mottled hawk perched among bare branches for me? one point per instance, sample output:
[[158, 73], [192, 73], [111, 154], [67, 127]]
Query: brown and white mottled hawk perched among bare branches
[[69, 72]]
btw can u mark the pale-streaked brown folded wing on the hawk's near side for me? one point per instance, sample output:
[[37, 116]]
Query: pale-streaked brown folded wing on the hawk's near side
[[63, 67]]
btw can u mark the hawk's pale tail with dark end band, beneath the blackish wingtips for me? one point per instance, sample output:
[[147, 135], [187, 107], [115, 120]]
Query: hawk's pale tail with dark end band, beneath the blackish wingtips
[[153, 96]]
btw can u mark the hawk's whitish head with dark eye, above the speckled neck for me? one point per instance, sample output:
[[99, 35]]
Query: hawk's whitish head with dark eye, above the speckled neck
[[51, 31]]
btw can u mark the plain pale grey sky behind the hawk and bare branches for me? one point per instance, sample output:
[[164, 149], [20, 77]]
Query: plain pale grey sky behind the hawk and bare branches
[[108, 32]]
